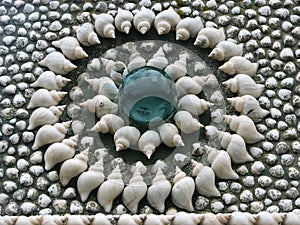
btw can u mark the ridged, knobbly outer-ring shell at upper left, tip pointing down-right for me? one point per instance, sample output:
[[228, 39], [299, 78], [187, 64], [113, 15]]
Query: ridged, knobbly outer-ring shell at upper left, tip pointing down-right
[[86, 35]]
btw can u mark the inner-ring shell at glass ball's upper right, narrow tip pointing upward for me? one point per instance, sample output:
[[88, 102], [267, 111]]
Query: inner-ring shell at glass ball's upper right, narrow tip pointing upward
[[178, 68]]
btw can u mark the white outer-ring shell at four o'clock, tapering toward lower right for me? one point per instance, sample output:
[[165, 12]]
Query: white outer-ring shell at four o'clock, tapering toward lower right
[[221, 164]]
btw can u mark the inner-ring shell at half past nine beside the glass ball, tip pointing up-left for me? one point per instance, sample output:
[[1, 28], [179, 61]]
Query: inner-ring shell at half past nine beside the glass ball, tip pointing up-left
[[104, 86]]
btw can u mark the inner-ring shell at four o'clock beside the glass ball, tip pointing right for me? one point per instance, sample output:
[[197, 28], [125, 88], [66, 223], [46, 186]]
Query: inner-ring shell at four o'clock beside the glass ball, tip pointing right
[[186, 123]]
